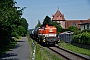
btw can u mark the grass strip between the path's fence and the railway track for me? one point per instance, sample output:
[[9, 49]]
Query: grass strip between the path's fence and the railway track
[[43, 54]]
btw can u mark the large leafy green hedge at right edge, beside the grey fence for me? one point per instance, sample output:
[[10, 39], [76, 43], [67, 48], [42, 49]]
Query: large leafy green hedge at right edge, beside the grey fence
[[82, 36]]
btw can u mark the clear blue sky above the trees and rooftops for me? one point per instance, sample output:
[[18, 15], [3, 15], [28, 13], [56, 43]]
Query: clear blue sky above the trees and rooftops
[[39, 9]]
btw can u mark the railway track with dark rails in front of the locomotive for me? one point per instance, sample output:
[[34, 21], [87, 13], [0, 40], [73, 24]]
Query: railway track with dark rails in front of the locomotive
[[67, 55]]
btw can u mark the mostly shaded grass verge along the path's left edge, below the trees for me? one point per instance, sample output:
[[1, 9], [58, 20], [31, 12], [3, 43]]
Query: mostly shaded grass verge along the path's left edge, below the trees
[[5, 49]]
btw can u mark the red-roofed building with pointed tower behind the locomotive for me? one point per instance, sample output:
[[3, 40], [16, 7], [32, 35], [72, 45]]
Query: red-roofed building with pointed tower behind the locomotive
[[59, 18]]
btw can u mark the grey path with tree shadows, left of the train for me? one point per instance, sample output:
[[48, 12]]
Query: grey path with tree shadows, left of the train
[[20, 52]]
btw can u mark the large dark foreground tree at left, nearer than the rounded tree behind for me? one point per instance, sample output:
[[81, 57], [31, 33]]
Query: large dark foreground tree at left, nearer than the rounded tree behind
[[9, 20]]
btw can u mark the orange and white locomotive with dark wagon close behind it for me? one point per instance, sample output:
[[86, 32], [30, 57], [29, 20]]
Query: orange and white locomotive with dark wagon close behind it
[[46, 34]]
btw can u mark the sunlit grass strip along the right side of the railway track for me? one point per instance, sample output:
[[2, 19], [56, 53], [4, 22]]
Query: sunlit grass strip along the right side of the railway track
[[74, 48]]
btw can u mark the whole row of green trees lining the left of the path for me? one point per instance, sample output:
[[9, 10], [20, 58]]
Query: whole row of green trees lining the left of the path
[[11, 22]]
